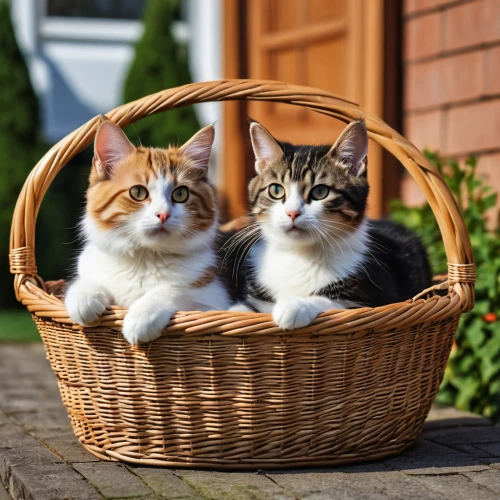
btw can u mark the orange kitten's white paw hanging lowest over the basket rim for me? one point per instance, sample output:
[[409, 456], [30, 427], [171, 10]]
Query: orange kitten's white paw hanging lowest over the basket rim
[[144, 323]]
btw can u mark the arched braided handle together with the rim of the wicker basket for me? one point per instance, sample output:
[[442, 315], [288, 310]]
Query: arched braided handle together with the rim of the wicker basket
[[31, 291]]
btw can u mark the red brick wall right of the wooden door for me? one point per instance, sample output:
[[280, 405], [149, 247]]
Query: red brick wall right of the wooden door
[[452, 80]]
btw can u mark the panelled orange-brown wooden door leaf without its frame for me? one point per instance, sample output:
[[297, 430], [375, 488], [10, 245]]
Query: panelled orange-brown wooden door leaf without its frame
[[304, 42]]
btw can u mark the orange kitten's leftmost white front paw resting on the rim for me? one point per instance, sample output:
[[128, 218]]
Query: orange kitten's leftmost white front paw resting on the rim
[[86, 303]]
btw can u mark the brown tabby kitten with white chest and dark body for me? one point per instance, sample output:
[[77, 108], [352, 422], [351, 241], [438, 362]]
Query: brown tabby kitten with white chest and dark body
[[314, 249]]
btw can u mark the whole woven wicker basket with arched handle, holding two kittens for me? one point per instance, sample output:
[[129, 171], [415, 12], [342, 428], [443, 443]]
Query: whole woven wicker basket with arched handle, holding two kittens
[[231, 390]]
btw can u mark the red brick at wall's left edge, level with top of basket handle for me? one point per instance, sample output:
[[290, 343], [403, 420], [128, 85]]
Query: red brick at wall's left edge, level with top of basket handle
[[443, 81]]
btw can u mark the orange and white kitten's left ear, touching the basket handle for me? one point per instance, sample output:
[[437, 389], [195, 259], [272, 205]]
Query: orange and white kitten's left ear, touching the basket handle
[[111, 145]]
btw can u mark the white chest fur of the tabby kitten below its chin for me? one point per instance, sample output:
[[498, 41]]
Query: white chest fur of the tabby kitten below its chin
[[294, 271]]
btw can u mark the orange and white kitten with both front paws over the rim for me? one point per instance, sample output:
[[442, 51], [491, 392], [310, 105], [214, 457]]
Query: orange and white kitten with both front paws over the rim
[[149, 226]]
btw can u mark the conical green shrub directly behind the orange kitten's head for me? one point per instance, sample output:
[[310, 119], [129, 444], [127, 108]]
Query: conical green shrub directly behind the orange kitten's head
[[160, 63]]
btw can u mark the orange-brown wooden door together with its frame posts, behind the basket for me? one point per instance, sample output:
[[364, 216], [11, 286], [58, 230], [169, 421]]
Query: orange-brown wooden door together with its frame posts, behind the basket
[[334, 45]]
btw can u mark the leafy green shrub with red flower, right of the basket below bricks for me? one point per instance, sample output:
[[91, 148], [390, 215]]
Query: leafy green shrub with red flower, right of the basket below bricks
[[472, 378]]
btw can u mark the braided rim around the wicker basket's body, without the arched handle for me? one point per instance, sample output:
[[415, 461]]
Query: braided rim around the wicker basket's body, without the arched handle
[[48, 306]]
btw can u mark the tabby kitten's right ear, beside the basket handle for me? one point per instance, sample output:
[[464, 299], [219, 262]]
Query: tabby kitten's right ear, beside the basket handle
[[351, 149]]
